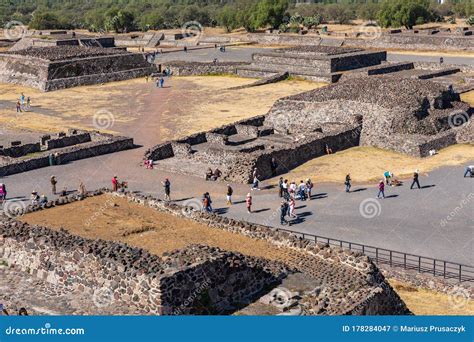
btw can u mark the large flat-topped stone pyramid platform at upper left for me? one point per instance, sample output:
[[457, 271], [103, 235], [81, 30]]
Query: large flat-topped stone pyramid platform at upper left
[[65, 66]]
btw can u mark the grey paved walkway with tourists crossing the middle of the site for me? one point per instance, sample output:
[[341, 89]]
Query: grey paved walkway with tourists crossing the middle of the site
[[436, 221]]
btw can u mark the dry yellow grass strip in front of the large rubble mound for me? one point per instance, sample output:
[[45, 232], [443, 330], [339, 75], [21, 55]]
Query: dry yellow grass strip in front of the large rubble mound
[[367, 164]]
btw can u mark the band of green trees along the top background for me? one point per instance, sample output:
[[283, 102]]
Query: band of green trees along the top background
[[131, 15]]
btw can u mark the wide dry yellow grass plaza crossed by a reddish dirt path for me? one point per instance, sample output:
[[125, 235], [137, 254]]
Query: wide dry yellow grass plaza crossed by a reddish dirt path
[[205, 101]]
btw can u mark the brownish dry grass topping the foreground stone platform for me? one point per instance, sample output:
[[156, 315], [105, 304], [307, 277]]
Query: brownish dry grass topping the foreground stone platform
[[110, 217]]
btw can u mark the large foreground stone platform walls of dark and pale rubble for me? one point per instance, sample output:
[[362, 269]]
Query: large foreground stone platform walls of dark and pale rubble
[[199, 279]]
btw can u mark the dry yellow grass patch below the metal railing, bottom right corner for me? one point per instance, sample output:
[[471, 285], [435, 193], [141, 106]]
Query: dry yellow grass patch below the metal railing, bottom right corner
[[428, 302]]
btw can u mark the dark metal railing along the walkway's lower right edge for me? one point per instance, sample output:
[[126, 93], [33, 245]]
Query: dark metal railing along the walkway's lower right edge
[[437, 267]]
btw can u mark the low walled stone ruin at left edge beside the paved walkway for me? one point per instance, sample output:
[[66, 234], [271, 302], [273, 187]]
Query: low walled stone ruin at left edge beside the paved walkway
[[66, 147]]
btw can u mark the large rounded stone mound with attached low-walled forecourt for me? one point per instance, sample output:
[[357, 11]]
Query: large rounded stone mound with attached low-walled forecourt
[[406, 115]]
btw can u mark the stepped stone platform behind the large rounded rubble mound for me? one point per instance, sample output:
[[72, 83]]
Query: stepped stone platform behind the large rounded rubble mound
[[315, 63]]
